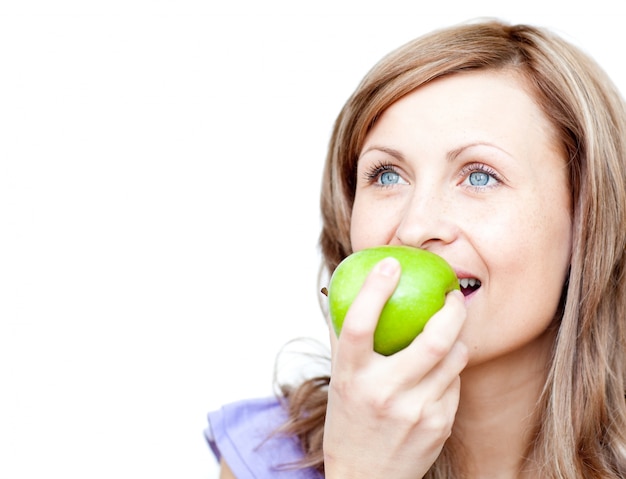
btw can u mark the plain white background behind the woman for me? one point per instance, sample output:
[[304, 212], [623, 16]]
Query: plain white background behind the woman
[[159, 173]]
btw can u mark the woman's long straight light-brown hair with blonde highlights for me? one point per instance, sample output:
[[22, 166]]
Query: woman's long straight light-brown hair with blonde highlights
[[581, 430]]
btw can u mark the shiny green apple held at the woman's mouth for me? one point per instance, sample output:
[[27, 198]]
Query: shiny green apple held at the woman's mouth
[[425, 280]]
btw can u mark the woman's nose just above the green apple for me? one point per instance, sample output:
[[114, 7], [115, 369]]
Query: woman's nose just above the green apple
[[428, 221]]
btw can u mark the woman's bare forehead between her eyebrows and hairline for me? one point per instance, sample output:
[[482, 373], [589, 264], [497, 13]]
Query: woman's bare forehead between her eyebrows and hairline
[[481, 105]]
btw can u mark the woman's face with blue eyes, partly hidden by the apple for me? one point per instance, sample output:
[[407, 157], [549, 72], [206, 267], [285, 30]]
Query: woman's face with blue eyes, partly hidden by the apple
[[468, 167]]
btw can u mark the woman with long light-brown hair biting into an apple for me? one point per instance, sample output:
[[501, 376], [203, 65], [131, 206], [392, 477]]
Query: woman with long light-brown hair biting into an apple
[[500, 148]]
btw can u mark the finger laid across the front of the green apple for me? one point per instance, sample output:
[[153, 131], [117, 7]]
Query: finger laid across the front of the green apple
[[356, 339]]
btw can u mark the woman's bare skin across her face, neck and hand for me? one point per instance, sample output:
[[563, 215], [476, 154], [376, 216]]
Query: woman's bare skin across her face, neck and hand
[[466, 167]]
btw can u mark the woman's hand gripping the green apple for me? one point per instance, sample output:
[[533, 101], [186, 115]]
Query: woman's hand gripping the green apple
[[389, 416]]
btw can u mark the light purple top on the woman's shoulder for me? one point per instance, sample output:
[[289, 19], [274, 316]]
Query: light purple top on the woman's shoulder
[[241, 433]]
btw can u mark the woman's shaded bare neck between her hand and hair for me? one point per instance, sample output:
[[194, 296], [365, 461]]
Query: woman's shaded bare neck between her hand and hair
[[498, 411]]
